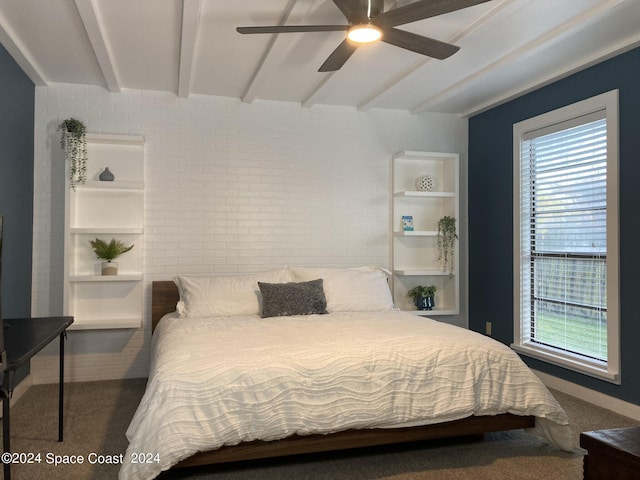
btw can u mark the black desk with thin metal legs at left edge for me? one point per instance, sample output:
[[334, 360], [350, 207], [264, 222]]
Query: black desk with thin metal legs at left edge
[[24, 337]]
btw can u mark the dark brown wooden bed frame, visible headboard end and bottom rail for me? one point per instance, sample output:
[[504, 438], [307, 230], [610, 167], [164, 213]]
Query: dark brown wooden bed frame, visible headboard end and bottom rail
[[164, 296]]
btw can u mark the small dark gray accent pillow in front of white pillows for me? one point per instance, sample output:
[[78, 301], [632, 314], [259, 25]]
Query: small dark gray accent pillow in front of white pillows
[[292, 298]]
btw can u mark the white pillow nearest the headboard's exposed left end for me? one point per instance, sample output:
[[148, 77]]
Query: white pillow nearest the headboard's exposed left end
[[224, 296]]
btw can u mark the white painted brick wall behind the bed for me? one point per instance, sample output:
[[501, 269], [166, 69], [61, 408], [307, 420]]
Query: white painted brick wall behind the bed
[[230, 188]]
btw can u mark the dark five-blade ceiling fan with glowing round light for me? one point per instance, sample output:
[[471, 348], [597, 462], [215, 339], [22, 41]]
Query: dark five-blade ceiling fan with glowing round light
[[368, 22]]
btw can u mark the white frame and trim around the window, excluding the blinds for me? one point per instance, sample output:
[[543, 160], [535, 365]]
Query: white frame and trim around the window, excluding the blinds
[[609, 370]]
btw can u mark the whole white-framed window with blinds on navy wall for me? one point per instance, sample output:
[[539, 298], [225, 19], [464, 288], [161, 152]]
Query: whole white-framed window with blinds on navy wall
[[566, 237]]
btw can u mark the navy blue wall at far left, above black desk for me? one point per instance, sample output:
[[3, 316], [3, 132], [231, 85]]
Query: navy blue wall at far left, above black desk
[[16, 187]]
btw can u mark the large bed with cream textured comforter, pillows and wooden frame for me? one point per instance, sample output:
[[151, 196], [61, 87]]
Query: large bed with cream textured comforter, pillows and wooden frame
[[300, 360]]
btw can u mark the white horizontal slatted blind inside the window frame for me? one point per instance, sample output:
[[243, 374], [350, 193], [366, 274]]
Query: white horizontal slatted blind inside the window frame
[[564, 236]]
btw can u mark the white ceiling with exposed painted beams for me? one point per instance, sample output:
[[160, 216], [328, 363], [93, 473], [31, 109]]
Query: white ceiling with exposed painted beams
[[190, 47]]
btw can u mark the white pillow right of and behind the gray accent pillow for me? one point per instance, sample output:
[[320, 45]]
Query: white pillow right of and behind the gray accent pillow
[[360, 289]]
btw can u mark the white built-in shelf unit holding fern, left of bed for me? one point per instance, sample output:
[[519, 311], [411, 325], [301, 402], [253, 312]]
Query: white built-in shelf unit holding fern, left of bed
[[106, 210]]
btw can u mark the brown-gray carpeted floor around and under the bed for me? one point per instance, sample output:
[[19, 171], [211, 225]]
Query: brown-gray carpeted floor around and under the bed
[[98, 413]]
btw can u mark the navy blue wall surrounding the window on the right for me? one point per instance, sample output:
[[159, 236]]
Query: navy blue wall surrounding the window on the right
[[491, 211]]
